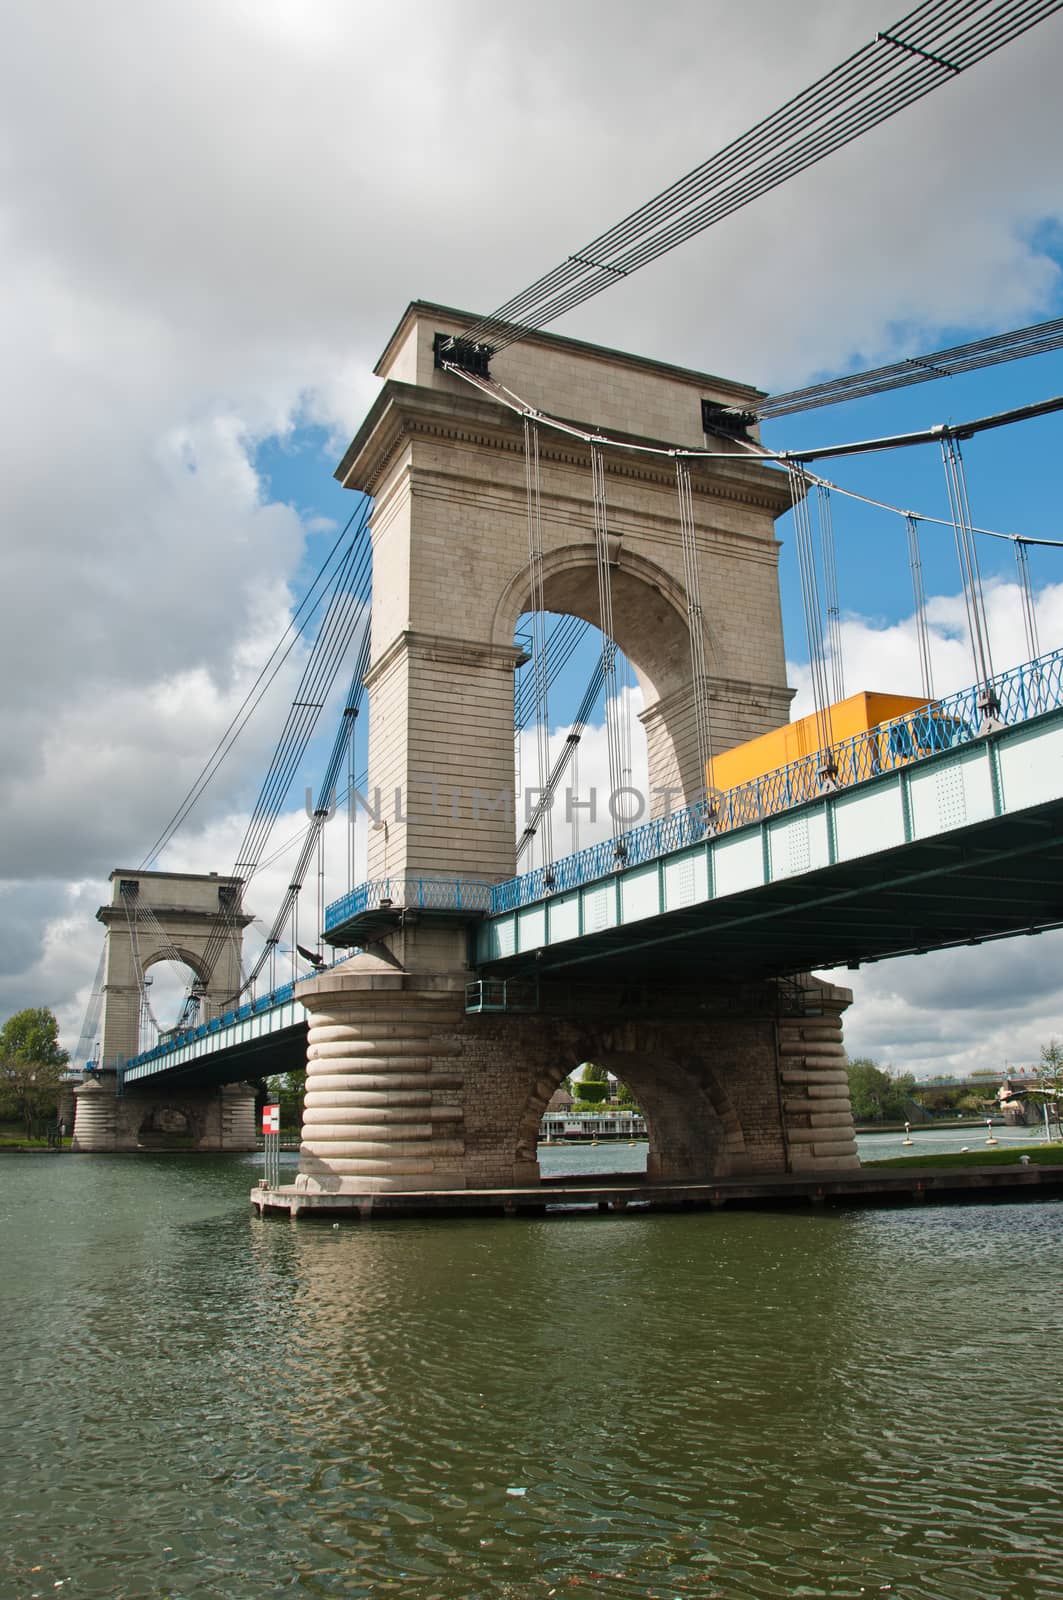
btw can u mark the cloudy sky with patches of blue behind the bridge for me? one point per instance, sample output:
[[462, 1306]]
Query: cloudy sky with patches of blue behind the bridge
[[212, 215]]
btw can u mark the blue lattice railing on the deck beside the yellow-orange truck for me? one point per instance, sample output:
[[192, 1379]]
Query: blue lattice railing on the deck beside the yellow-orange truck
[[942, 726]]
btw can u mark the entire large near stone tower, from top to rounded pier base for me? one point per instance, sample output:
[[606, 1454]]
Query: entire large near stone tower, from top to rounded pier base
[[404, 1090]]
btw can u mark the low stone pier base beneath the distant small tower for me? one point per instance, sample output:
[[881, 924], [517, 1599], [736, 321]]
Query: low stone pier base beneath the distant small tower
[[175, 1119]]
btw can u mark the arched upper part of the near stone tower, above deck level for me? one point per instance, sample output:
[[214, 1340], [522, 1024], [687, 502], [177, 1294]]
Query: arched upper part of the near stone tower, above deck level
[[451, 575]]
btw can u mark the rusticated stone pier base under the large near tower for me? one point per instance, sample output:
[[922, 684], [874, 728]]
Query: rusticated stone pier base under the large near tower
[[409, 1094]]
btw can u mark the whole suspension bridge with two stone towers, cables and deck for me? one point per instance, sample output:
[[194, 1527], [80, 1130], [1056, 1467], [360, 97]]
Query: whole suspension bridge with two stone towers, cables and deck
[[478, 964]]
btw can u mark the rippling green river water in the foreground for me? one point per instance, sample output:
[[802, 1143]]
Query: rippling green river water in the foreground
[[736, 1406]]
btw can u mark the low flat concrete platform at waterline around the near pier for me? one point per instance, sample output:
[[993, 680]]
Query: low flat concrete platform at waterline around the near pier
[[576, 1198]]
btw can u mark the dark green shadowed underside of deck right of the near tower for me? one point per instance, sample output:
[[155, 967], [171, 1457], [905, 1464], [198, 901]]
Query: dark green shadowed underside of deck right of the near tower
[[989, 881]]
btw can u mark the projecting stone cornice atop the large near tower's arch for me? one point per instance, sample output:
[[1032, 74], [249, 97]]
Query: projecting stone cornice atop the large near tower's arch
[[406, 412]]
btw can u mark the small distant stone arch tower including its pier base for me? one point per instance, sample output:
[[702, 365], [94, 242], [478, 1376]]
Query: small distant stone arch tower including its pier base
[[156, 918]]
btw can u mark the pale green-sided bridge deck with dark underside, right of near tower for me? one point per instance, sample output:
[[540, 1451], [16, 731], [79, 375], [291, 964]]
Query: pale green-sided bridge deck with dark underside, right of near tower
[[963, 847]]
